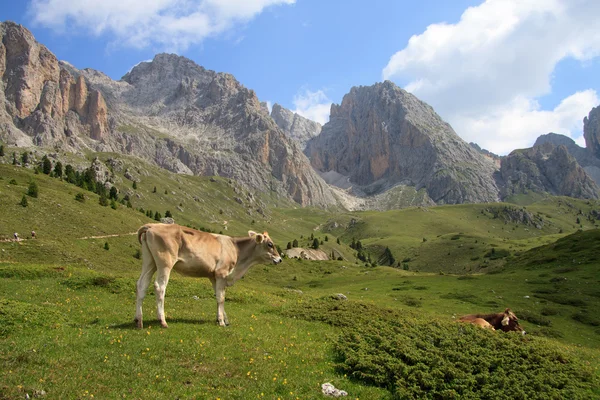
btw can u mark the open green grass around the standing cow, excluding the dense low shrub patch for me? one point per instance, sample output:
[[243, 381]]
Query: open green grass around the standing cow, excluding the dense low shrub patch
[[74, 317]]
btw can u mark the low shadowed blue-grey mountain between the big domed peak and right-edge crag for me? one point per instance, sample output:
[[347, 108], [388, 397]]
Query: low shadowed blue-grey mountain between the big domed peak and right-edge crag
[[546, 167]]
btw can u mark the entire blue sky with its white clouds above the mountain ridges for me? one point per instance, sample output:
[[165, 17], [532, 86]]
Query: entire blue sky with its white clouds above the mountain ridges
[[501, 72]]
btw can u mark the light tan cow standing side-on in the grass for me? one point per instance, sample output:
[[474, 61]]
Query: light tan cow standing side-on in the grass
[[220, 258]]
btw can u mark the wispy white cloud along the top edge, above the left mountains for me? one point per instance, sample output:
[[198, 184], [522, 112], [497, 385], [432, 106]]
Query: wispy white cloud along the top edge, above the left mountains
[[170, 24]]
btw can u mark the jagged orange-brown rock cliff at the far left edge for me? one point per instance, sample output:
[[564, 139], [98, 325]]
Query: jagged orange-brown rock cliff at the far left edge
[[44, 104]]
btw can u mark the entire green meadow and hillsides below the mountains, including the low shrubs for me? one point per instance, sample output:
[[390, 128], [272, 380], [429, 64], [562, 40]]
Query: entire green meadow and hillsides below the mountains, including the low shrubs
[[67, 298]]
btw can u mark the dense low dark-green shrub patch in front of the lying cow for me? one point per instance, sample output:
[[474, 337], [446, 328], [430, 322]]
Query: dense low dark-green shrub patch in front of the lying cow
[[417, 357]]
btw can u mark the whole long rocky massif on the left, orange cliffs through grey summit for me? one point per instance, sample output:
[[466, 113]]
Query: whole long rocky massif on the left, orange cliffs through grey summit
[[169, 111]]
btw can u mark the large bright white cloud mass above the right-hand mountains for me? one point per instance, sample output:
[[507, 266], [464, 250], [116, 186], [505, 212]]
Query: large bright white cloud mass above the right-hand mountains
[[484, 73]]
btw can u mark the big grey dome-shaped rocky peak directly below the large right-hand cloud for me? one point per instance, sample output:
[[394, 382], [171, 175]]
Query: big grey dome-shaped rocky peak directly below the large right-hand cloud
[[382, 136]]
